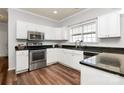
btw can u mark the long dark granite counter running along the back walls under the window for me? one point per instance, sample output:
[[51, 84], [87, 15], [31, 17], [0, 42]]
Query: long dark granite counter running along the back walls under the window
[[83, 48]]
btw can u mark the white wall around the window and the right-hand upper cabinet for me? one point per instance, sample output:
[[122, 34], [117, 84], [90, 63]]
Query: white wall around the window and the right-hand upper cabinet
[[92, 13]]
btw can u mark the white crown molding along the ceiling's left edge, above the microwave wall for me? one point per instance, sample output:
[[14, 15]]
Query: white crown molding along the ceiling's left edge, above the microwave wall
[[24, 11]]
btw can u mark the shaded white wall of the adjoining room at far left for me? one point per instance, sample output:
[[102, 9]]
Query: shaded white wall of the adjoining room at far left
[[3, 39]]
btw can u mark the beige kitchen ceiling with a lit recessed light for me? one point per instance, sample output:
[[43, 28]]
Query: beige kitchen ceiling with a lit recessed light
[[48, 12]]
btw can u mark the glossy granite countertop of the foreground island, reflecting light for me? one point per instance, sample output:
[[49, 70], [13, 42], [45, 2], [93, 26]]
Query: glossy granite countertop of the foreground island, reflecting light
[[109, 62]]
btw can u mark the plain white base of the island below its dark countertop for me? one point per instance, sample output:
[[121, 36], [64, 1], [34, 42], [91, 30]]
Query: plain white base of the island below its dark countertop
[[92, 76]]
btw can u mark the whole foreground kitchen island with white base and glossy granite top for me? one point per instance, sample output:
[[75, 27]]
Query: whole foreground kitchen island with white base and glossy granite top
[[105, 68]]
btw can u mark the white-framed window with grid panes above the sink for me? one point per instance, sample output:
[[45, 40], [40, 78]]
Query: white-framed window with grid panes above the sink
[[85, 32]]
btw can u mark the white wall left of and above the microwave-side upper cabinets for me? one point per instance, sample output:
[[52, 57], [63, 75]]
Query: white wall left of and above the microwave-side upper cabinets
[[14, 15]]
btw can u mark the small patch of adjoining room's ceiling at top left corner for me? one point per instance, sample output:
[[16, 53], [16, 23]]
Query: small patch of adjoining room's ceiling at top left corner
[[3, 15]]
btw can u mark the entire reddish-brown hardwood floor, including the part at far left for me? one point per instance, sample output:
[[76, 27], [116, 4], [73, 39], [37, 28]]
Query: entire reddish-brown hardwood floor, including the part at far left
[[56, 74]]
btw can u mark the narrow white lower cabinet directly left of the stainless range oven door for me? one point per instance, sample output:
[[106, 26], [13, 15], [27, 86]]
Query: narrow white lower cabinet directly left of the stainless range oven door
[[22, 61]]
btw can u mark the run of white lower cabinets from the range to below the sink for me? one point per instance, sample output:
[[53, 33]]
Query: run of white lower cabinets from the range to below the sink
[[67, 57]]
